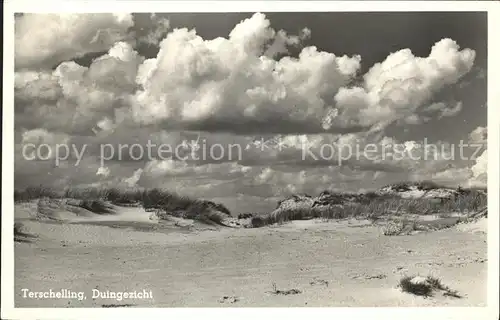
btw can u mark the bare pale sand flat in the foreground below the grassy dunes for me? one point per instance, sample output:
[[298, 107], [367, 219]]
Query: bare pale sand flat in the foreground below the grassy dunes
[[346, 263]]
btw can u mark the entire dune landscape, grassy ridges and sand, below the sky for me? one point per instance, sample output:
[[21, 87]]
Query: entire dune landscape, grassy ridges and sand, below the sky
[[376, 245]]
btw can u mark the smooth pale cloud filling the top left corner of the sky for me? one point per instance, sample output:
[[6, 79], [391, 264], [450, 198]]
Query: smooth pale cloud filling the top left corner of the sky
[[44, 40]]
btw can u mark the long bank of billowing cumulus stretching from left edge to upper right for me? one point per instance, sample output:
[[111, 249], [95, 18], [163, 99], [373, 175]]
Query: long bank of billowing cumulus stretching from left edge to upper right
[[236, 84]]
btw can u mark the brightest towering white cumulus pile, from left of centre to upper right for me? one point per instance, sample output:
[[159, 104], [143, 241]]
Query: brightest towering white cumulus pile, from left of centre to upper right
[[197, 82]]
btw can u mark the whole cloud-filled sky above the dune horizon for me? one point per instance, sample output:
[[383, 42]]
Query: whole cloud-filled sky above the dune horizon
[[250, 107]]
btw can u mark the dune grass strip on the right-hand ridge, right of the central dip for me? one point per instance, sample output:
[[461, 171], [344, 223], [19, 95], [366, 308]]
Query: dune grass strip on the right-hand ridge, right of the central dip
[[372, 206]]
